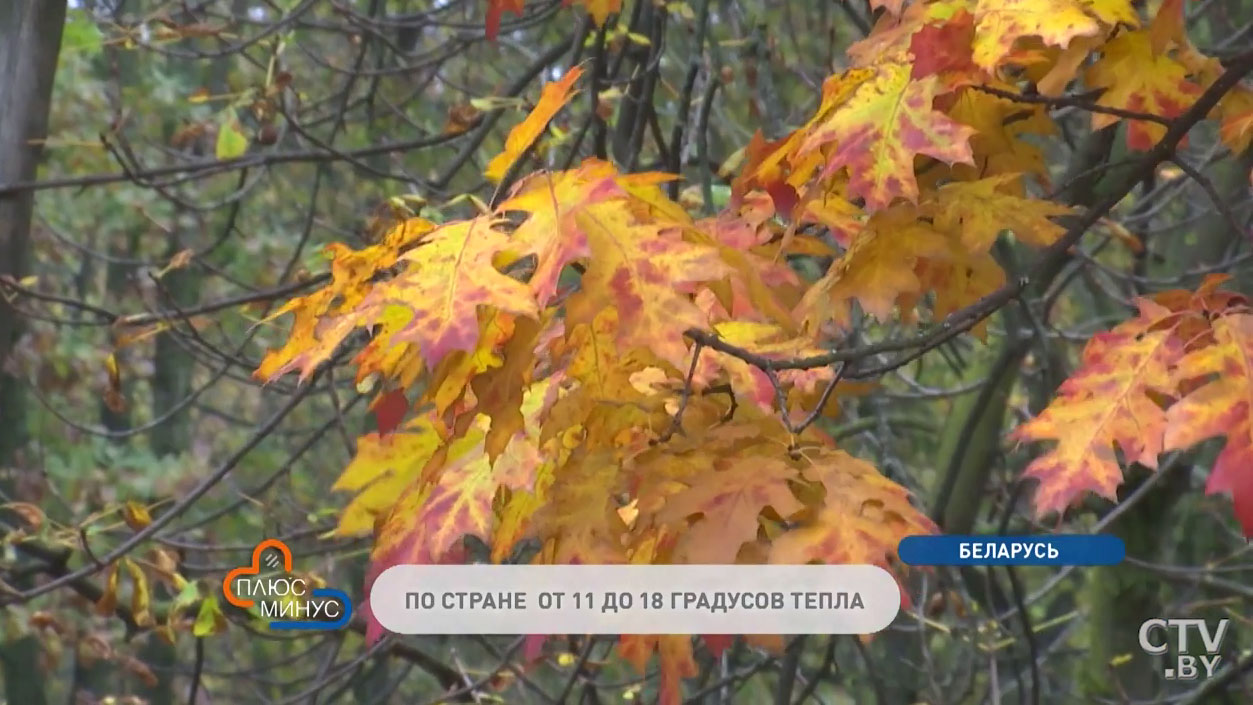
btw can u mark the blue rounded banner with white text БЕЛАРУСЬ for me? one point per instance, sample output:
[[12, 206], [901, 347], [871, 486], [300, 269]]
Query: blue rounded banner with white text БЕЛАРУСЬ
[[1046, 550]]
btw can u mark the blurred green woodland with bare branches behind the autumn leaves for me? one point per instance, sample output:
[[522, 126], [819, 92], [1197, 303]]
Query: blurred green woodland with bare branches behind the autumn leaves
[[201, 153]]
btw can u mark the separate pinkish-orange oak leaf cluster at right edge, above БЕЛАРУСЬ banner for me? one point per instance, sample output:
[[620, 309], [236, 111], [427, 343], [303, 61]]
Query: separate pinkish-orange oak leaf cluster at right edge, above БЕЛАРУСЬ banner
[[1176, 375]]
